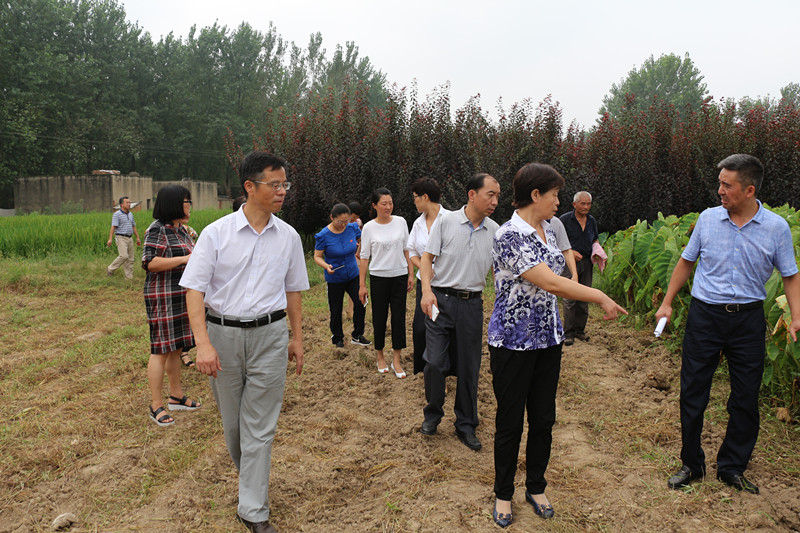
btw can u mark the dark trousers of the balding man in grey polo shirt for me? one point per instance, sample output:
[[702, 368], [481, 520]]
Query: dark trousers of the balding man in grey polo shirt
[[462, 319]]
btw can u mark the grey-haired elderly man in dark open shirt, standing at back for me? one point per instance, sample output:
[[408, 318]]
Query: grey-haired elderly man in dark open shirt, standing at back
[[582, 232]]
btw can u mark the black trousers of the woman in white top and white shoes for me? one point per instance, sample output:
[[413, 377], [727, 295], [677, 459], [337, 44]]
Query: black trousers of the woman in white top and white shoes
[[386, 294]]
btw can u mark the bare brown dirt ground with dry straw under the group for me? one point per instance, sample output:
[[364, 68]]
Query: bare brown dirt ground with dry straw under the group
[[349, 457]]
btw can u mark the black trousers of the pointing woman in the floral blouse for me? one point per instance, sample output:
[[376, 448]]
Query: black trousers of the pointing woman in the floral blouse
[[523, 379]]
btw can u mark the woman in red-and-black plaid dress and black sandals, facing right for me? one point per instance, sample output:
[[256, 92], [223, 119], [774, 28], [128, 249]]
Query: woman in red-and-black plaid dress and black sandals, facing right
[[167, 248]]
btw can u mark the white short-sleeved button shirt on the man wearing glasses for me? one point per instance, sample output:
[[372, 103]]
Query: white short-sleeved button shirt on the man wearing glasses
[[244, 273]]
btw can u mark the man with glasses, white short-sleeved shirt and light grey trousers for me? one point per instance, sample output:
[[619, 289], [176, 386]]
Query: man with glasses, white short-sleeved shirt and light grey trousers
[[245, 275]]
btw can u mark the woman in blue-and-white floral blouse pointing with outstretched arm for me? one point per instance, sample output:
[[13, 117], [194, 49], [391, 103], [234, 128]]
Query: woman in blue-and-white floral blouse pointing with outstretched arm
[[525, 335]]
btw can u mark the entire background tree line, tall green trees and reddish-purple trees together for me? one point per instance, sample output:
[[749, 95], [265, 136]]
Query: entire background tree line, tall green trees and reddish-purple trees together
[[82, 89]]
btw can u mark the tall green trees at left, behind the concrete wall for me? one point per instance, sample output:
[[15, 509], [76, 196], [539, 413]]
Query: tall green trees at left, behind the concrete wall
[[81, 88]]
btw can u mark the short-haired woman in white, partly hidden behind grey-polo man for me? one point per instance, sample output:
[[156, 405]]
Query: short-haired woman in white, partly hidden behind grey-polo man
[[426, 194]]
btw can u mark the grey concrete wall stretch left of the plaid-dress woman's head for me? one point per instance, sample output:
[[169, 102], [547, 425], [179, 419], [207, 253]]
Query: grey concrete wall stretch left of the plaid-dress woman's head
[[55, 194]]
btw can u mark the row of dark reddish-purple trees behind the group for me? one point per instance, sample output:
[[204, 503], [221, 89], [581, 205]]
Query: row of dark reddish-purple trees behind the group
[[649, 156]]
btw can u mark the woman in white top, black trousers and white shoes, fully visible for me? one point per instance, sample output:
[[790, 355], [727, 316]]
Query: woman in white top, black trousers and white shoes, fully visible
[[391, 276]]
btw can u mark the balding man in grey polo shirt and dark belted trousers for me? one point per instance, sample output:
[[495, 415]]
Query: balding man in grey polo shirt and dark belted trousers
[[461, 243]]
